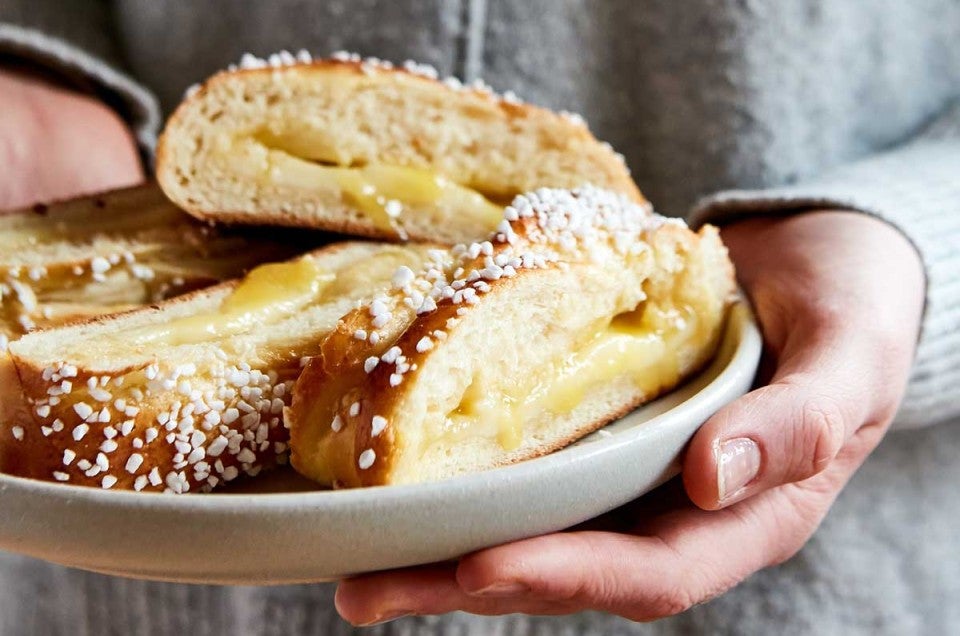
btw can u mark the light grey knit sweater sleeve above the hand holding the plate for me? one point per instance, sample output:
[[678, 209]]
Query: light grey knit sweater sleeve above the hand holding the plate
[[916, 188]]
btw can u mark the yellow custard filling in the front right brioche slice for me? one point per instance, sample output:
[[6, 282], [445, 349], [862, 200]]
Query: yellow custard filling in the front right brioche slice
[[642, 345]]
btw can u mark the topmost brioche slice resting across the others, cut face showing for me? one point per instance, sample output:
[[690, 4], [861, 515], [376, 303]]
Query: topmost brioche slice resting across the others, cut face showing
[[364, 148]]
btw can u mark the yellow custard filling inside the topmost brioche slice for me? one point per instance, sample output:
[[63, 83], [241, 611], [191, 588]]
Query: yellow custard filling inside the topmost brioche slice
[[380, 192]]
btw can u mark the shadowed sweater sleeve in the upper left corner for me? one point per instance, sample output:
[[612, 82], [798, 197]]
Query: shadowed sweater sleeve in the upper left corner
[[73, 38]]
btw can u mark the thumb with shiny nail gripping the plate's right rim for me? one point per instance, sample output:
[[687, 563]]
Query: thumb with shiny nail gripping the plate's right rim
[[822, 392]]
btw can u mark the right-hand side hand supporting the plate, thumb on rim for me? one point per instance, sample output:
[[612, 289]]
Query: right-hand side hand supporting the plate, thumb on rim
[[838, 296]]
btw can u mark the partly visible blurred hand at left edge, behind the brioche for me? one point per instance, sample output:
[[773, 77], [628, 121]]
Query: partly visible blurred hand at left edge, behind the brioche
[[56, 143]]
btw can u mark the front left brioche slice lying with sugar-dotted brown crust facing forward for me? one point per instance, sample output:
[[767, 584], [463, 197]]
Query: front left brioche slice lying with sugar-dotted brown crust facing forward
[[188, 394]]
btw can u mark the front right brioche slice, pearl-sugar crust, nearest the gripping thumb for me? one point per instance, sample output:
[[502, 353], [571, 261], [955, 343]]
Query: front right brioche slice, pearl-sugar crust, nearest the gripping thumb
[[579, 308]]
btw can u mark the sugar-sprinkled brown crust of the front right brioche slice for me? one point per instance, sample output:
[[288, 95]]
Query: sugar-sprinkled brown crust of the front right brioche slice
[[359, 386]]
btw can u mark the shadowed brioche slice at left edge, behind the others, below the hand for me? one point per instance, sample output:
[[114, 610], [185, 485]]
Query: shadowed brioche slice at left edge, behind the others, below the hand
[[110, 252]]
